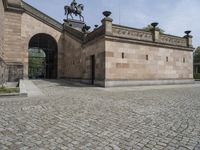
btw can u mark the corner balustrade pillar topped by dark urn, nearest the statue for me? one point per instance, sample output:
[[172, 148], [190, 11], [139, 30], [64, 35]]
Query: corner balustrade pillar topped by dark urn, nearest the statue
[[107, 23]]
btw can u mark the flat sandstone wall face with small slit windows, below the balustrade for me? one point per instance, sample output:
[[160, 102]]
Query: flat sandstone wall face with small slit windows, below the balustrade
[[129, 61]]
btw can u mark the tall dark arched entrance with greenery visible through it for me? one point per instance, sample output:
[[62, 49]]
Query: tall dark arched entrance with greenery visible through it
[[43, 57]]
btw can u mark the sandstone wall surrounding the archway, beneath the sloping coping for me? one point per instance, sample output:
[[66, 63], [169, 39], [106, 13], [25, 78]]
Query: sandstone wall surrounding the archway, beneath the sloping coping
[[31, 26]]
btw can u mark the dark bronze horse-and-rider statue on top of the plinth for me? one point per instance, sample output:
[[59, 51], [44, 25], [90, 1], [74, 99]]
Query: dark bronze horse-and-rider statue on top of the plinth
[[75, 9]]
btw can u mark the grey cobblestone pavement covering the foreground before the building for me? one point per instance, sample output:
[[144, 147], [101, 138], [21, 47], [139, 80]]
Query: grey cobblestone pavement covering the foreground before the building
[[75, 117]]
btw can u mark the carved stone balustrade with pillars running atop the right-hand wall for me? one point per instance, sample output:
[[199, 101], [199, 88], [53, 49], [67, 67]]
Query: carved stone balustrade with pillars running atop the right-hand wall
[[153, 36]]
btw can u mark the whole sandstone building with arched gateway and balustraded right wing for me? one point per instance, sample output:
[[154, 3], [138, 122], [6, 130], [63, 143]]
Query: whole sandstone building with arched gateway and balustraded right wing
[[110, 55]]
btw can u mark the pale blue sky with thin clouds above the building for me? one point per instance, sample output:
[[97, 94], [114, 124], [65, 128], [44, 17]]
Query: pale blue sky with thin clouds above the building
[[173, 16]]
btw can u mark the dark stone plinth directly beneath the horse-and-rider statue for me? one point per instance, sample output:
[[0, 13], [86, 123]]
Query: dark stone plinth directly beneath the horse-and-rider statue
[[76, 24]]
